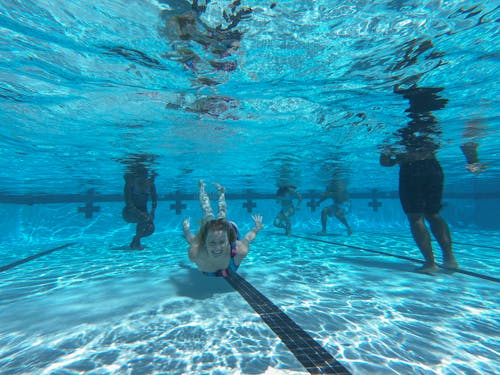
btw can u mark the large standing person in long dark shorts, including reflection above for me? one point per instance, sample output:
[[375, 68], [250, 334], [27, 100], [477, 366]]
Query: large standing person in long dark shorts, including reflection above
[[421, 177]]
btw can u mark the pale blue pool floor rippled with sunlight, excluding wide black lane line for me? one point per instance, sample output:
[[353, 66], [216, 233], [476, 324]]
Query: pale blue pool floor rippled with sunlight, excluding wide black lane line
[[95, 307]]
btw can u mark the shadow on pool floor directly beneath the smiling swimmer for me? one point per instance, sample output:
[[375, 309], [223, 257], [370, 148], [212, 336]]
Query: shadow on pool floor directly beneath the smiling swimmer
[[194, 284]]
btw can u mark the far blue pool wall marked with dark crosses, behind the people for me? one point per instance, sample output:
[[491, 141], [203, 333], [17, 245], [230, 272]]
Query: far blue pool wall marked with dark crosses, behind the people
[[41, 222]]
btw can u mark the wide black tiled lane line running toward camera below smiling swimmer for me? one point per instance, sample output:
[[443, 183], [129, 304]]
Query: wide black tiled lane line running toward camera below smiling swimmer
[[308, 352]]
